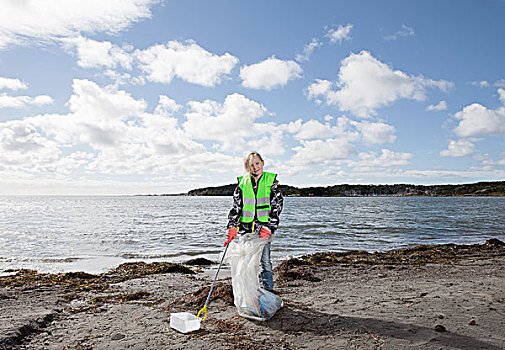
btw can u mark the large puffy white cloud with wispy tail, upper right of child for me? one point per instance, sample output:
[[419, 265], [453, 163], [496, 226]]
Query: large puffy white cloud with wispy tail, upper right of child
[[366, 84]]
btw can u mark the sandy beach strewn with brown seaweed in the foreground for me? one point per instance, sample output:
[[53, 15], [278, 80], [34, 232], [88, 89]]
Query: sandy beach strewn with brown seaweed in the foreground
[[426, 297]]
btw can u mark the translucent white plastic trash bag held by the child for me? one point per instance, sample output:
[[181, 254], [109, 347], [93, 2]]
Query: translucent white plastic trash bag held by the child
[[252, 301]]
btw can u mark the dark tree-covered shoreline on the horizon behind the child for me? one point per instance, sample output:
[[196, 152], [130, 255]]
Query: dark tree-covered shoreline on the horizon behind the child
[[496, 188]]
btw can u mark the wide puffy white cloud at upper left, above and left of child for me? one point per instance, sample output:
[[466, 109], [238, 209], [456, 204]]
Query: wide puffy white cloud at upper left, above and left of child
[[188, 61]]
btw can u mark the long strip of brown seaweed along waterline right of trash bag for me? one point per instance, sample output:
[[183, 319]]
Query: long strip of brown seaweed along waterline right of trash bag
[[418, 255]]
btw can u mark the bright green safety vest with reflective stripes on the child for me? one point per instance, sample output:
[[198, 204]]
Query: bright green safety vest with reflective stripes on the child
[[256, 204]]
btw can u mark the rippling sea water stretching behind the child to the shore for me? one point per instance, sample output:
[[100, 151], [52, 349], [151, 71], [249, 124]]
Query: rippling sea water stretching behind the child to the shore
[[94, 234]]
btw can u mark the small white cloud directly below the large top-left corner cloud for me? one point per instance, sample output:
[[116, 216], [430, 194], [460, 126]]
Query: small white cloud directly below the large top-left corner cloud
[[98, 54]]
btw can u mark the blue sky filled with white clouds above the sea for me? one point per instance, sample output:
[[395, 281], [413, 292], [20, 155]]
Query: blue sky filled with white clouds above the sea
[[160, 96]]
